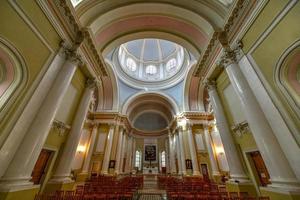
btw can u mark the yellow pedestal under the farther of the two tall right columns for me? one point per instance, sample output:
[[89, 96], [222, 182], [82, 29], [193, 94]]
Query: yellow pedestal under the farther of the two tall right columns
[[241, 187]]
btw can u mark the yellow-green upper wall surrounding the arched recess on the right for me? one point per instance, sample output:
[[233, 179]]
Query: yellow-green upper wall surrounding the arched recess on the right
[[267, 54]]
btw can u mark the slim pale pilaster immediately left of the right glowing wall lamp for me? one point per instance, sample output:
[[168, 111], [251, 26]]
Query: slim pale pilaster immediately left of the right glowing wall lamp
[[209, 146]]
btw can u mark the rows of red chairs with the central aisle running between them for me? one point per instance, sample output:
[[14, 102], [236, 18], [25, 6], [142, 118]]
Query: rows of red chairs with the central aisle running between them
[[148, 187]]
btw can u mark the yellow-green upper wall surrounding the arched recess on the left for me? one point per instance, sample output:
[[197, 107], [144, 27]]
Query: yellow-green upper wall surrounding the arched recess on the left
[[25, 39]]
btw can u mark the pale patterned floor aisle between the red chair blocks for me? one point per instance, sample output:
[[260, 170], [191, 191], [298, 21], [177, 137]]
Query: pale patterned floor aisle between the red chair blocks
[[150, 190]]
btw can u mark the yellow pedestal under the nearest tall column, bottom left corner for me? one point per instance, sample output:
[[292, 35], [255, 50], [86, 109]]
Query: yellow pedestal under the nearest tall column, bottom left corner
[[16, 193]]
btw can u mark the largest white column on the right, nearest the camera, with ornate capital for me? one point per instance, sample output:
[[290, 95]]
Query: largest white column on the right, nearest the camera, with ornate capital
[[278, 166]]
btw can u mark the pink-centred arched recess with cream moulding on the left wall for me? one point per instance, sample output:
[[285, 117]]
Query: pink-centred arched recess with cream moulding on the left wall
[[14, 75]]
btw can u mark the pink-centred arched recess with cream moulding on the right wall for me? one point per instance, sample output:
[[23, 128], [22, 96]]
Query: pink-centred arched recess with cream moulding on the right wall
[[286, 76]]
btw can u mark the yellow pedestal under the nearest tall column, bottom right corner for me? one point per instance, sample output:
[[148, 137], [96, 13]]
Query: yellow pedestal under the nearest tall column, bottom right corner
[[279, 194]]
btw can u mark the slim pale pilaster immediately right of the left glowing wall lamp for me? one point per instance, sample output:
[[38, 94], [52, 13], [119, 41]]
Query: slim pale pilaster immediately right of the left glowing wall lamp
[[87, 160]]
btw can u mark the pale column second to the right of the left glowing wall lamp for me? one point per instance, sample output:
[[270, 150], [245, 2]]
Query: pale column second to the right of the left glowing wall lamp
[[107, 152]]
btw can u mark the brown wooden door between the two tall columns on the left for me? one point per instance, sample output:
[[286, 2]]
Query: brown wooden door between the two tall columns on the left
[[41, 166]]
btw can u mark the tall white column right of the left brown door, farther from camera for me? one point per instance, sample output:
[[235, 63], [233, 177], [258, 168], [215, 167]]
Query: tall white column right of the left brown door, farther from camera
[[63, 170]]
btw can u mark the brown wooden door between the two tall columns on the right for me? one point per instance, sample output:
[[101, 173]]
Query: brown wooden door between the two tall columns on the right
[[260, 168]]
